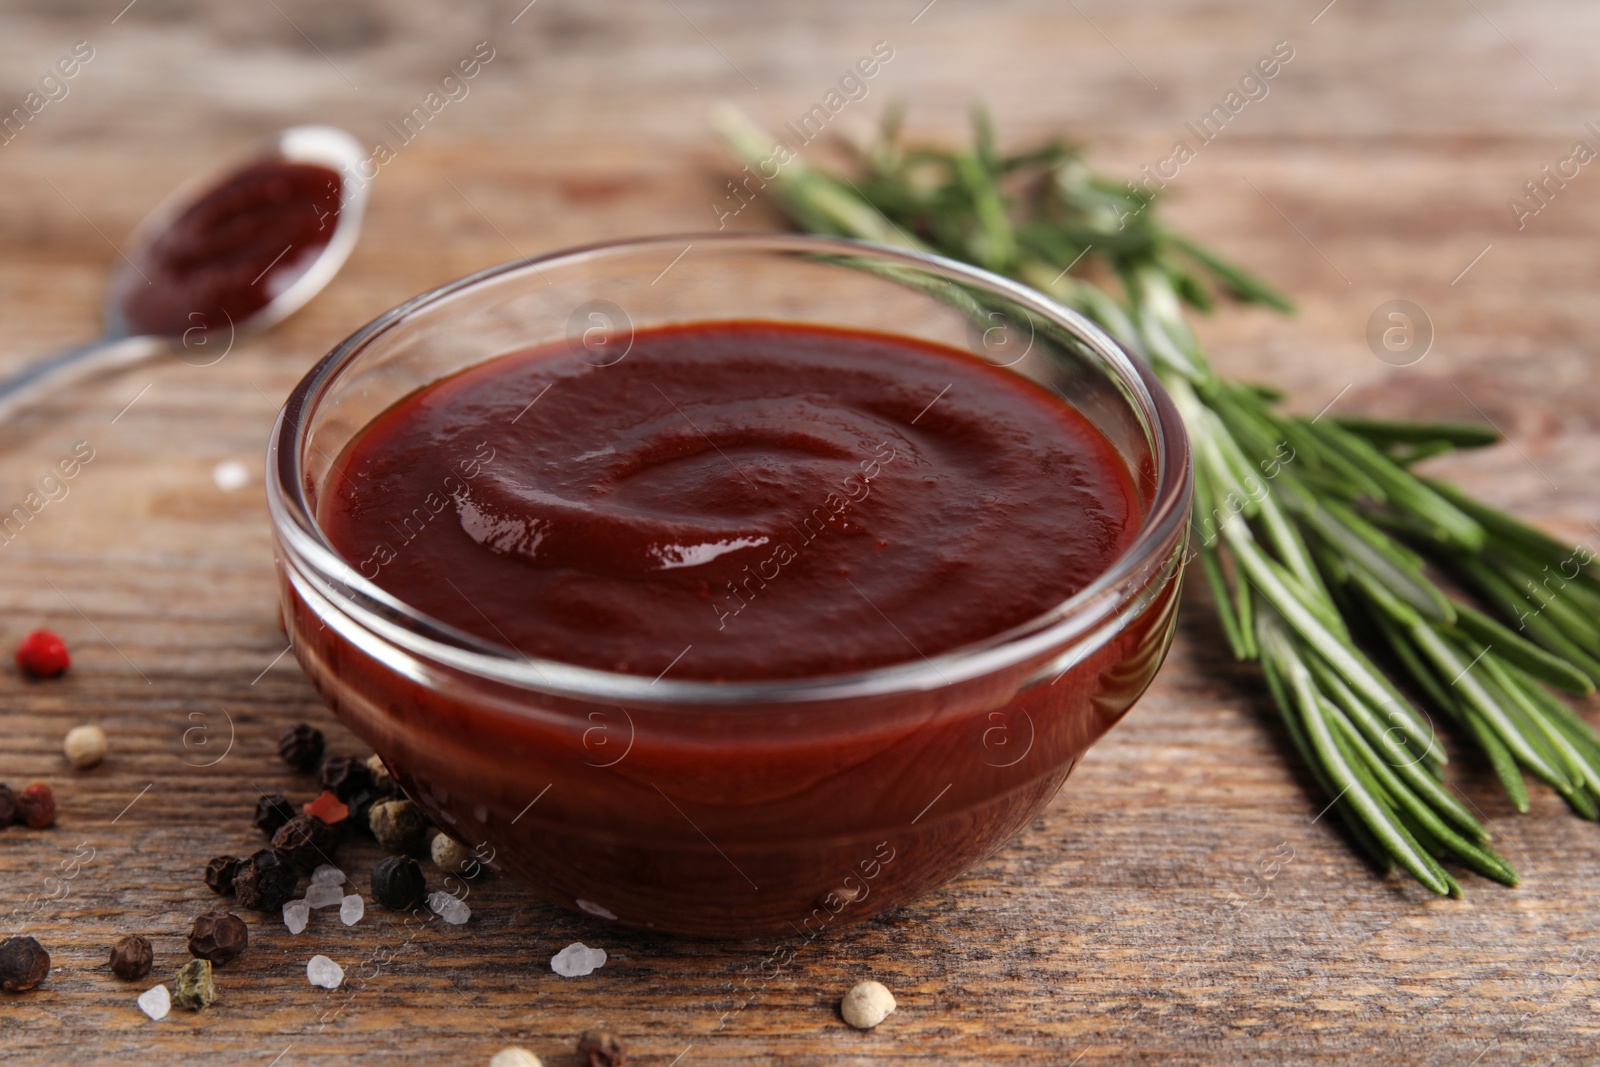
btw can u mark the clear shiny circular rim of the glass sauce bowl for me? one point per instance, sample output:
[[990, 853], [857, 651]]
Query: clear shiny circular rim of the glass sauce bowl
[[1089, 617]]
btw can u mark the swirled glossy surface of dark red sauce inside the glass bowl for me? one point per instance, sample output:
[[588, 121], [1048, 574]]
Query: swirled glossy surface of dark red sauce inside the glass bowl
[[734, 502]]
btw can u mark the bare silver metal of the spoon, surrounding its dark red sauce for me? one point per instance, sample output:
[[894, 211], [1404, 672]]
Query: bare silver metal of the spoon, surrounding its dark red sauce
[[121, 345]]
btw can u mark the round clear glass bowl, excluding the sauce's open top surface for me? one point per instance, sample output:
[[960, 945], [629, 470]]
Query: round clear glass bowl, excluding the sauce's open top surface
[[751, 807]]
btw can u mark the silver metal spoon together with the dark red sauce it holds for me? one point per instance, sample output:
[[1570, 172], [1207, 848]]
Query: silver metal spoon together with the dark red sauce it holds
[[226, 255]]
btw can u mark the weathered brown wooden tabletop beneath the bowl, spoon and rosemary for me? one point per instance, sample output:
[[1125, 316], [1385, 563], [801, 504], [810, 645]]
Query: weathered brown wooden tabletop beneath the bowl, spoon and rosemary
[[1130, 922]]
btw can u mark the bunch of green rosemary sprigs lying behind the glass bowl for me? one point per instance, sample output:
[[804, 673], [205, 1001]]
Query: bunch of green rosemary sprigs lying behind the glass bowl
[[1318, 540]]
